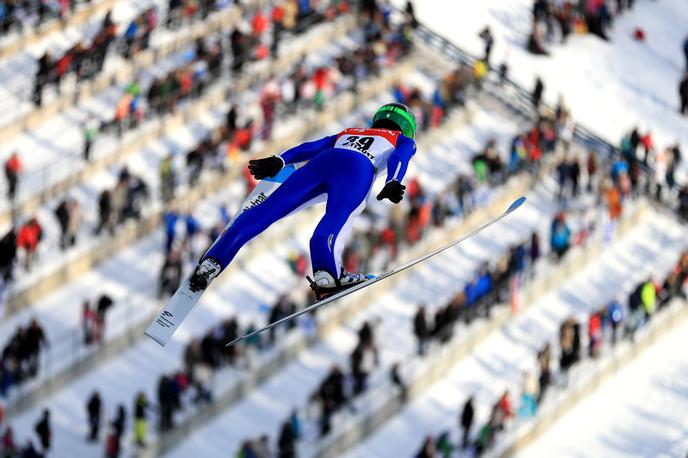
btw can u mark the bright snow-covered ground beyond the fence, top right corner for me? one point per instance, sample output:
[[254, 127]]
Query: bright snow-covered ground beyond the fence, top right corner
[[610, 86]]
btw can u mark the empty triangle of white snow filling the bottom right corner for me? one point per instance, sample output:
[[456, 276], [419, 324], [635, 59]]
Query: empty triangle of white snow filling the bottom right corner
[[640, 411]]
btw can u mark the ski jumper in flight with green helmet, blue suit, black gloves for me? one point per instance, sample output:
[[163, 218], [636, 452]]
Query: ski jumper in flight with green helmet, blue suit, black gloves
[[342, 167]]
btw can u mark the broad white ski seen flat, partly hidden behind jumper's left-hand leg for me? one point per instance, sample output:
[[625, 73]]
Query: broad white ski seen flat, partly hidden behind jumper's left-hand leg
[[171, 316]]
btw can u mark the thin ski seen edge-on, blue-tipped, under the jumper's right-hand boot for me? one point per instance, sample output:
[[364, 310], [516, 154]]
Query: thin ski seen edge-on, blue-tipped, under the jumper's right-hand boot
[[513, 207]]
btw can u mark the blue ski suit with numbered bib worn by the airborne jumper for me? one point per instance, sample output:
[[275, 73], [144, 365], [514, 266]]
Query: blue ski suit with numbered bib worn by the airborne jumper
[[342, 167]]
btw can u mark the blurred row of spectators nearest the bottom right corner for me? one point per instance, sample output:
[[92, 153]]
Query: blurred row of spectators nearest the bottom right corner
[[579, 340]]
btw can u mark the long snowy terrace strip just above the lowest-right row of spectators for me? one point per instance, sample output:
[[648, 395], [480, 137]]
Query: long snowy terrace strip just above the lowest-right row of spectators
[[500, 361]]
